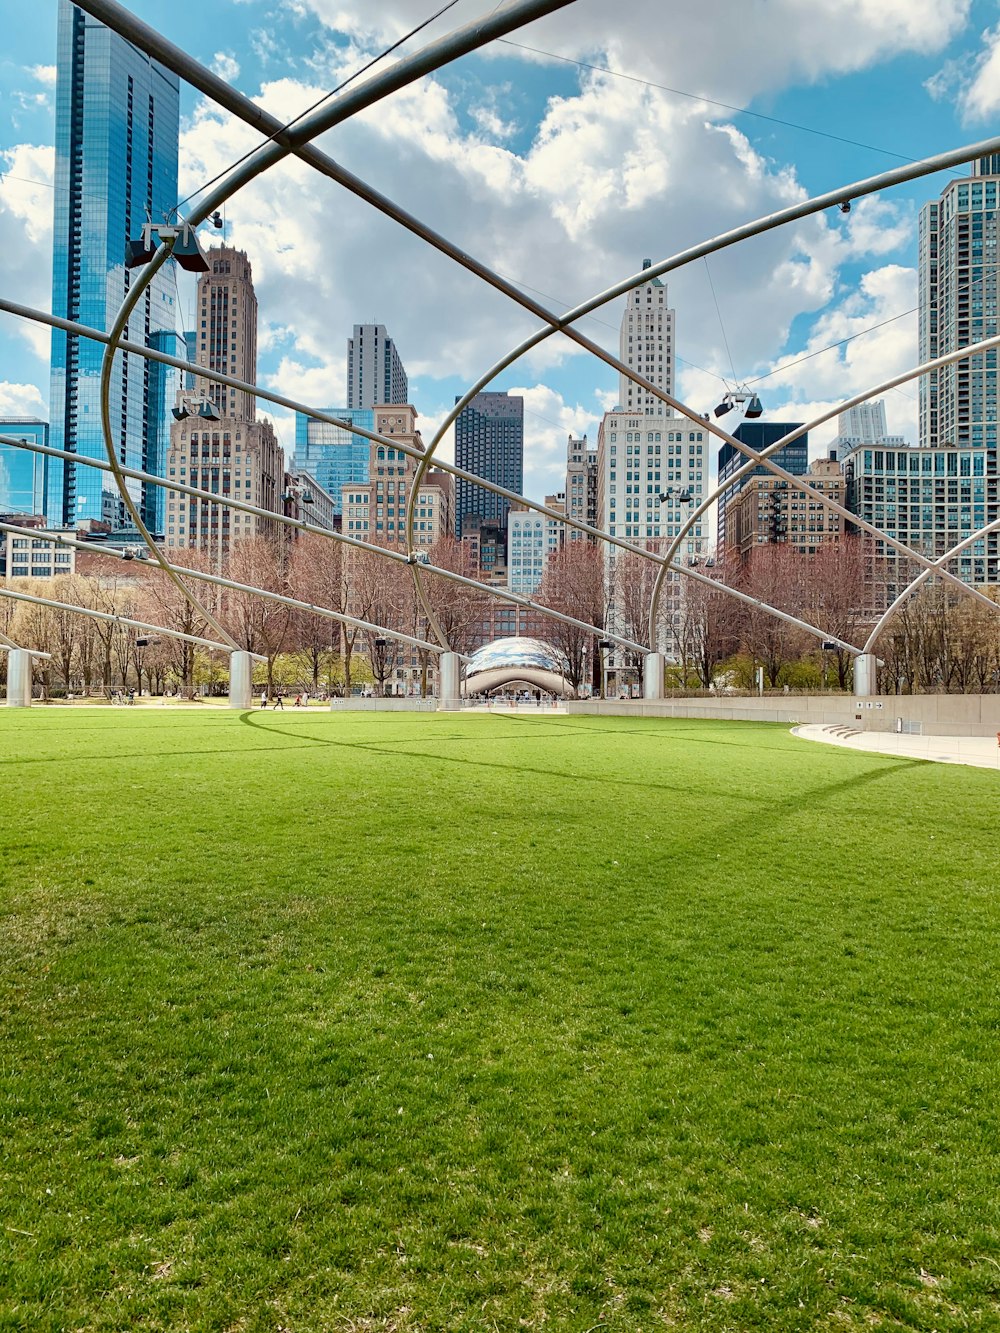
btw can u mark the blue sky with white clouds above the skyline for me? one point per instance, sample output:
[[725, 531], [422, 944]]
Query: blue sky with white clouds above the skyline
[[563, 179]]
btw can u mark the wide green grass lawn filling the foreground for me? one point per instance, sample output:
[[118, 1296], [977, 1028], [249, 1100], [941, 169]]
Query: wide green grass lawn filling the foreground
[[433, 1023]]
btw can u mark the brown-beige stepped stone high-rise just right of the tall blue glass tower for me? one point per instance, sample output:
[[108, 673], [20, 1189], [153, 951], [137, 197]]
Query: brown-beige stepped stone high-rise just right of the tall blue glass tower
[[234, 455]]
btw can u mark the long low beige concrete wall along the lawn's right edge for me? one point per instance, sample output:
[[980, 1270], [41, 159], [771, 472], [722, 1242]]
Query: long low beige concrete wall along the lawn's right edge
[[933, 715]]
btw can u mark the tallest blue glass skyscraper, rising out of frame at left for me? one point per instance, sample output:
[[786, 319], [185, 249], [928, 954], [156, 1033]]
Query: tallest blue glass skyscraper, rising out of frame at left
[[117, 167]]
